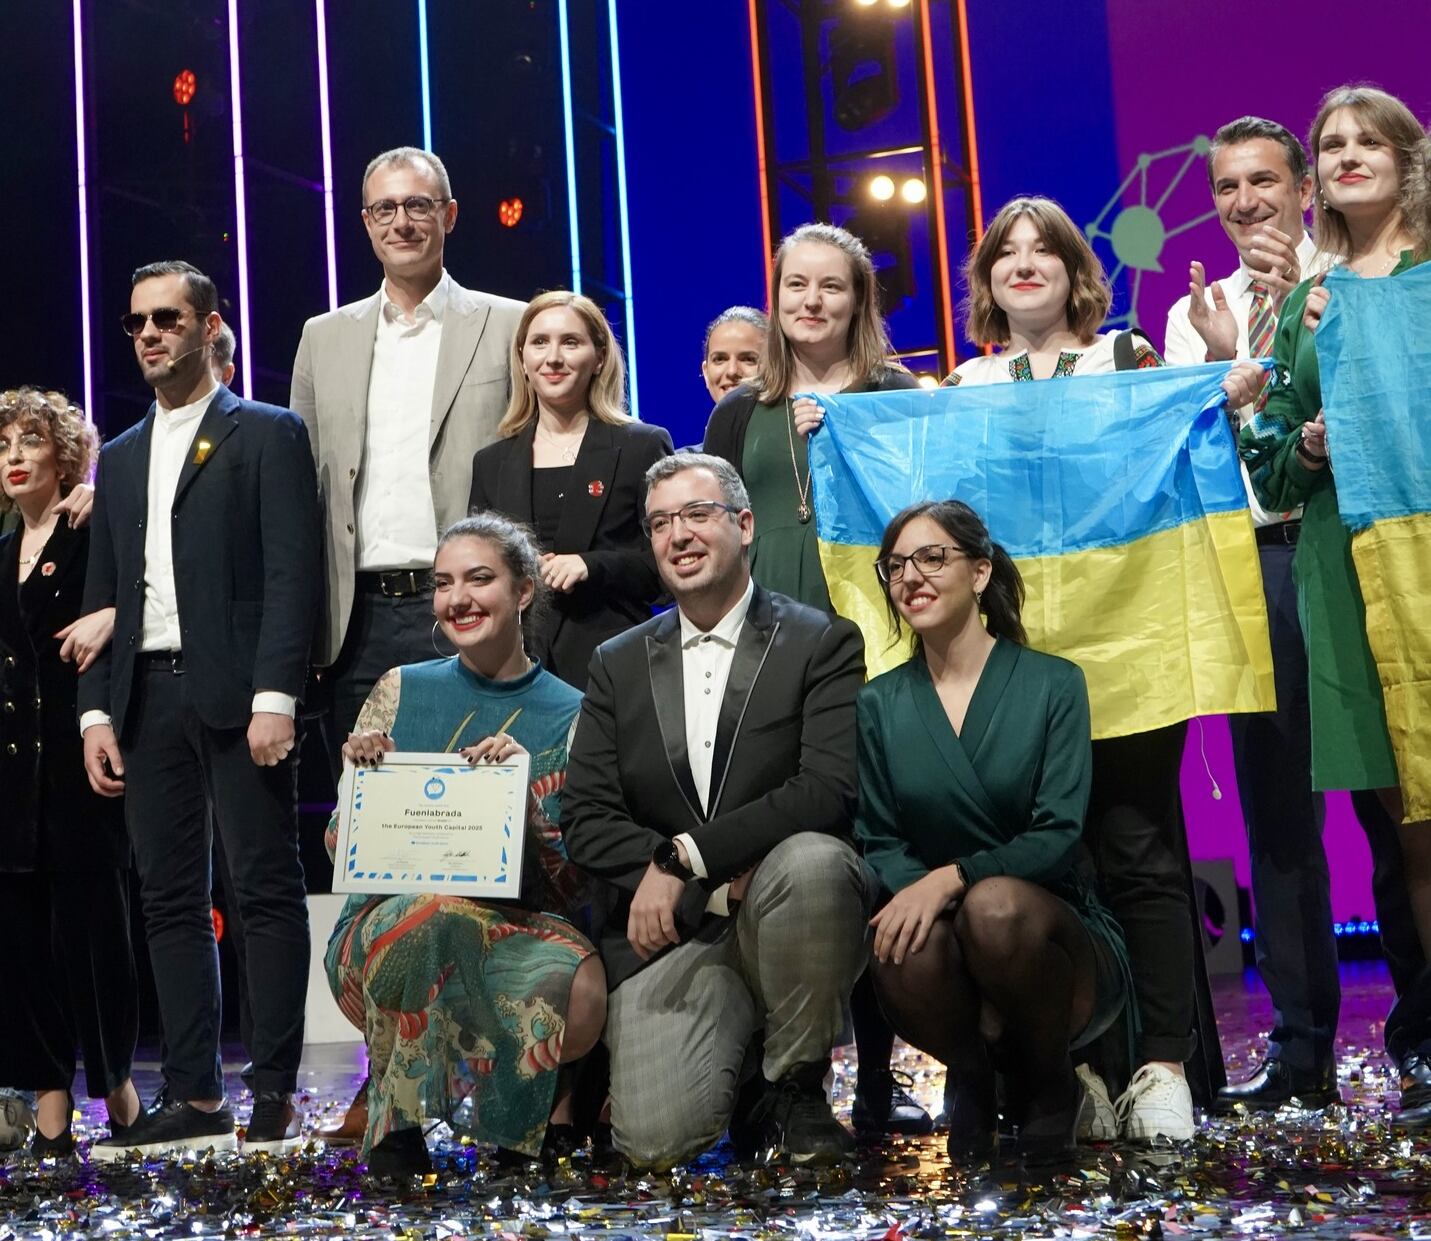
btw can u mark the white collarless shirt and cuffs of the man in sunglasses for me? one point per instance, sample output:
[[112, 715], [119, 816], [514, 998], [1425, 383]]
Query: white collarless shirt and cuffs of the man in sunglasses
[[171, 440]]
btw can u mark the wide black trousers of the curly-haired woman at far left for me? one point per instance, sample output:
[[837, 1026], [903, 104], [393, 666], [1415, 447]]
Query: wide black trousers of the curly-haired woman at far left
[[68, 980]]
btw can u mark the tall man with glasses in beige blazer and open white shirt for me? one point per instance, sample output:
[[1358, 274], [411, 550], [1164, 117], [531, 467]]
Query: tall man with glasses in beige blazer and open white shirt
[[399, 391]]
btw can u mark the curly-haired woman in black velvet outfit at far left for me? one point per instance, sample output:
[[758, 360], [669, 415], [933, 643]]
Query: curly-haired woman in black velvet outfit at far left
[[64, 850]]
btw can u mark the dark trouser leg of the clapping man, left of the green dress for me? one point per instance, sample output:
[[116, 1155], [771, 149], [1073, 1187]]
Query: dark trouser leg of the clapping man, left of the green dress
[[1291, 888]]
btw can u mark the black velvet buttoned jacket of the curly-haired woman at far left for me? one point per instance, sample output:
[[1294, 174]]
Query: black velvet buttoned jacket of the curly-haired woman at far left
[[52, 818]]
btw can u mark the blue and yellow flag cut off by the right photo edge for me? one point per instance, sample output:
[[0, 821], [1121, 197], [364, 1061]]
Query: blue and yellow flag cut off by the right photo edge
[[1376, 369]]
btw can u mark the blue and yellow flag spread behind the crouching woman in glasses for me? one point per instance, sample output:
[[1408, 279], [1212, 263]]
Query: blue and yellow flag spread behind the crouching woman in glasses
[[1120, 497]]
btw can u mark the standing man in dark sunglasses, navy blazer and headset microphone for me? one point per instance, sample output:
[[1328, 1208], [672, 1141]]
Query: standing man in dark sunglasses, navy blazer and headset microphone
[[207, 545]]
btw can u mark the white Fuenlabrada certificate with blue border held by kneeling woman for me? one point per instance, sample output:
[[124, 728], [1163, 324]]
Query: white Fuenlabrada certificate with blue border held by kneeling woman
[[433, 824]]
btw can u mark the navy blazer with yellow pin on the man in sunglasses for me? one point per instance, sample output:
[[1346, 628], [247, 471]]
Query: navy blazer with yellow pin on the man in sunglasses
[[247, 555]]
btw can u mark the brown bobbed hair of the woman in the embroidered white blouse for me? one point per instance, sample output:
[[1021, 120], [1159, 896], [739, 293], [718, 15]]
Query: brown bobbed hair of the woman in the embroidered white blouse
[[1090, 296]]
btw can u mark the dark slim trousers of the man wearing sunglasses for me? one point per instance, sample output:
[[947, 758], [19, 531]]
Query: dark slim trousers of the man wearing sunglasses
[[177, 768]]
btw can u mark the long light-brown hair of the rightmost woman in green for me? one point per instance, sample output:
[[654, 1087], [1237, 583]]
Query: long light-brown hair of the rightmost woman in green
[[1390, 118]]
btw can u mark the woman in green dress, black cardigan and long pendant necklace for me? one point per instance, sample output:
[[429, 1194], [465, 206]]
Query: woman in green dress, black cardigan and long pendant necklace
[[826, 336]]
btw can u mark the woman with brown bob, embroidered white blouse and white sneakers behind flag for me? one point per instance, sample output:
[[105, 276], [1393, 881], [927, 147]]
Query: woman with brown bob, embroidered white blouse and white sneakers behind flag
[[1038, 294]]
